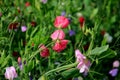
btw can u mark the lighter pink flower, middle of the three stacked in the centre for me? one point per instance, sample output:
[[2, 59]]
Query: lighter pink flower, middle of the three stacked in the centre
[[58, 34]]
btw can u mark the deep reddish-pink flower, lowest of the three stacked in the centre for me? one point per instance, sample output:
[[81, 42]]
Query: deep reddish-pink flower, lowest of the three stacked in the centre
[[60, 45]]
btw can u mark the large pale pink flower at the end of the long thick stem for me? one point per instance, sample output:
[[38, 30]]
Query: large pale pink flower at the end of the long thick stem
[[83, 62]]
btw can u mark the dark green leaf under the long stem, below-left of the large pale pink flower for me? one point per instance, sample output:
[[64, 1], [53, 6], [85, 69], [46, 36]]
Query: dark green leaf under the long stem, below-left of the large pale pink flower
[[70, 73]]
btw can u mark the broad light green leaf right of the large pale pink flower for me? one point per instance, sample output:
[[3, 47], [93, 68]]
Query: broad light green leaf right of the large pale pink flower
[[99, 50]]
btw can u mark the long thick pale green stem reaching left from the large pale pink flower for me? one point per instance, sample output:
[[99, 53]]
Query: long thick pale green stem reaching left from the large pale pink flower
[[61, 68]]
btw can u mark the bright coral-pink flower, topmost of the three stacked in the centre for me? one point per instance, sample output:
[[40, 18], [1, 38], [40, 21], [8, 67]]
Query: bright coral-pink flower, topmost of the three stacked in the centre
[[61, 22]]
